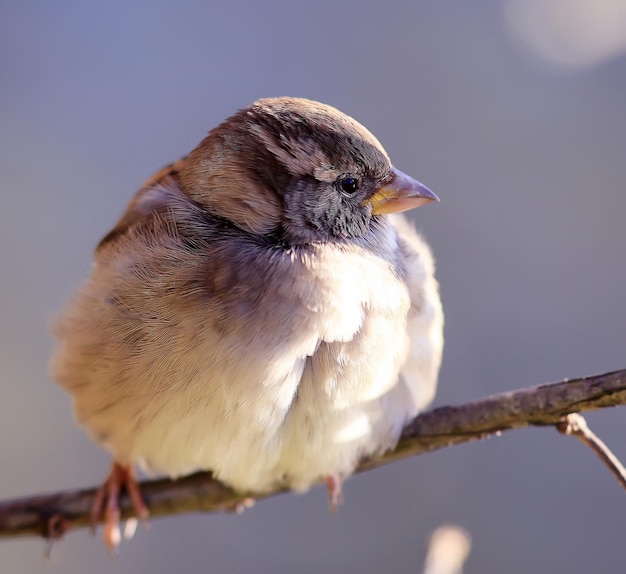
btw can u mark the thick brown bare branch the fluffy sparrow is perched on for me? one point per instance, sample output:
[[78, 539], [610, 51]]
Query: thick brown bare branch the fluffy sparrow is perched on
[[52, 515]]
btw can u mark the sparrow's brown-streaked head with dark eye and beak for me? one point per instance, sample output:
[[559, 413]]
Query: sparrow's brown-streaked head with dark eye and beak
[[300, 169]]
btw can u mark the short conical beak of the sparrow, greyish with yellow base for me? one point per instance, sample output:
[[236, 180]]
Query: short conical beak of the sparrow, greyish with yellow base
[[400, 193]]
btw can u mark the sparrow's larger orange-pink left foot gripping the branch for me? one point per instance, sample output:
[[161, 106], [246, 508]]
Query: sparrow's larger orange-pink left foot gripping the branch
[[106, 503]]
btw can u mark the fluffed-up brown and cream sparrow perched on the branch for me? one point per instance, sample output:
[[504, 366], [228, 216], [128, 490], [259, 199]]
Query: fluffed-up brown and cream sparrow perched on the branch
[[262, 310]]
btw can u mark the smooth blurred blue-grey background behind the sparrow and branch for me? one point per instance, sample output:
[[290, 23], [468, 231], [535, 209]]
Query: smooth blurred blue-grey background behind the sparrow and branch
[[514, 112]]
